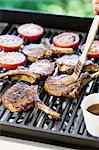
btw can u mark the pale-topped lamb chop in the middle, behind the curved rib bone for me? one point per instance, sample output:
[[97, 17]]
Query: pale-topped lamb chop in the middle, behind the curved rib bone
[[41, 68]]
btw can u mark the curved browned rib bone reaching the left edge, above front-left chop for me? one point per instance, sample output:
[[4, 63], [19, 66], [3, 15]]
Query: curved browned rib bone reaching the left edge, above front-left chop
[[22, 75]]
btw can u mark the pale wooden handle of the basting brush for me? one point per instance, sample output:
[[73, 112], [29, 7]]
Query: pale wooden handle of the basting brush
[[90, 38]]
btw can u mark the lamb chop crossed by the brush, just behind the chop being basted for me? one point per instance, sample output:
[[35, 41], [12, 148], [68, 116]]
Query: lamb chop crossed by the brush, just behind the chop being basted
[[67, 64]]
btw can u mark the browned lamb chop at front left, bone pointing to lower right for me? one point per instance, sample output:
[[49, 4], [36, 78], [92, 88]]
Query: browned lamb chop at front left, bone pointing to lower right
[[21, 96]]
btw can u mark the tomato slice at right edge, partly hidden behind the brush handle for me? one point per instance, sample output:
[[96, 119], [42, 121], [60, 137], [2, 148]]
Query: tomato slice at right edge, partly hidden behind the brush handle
[[94, 50]]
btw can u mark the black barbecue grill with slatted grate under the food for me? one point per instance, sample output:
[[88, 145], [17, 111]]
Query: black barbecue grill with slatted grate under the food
[[34, 124]]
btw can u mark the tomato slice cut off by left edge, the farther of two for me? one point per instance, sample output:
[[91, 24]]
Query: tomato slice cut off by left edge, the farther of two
[[10, 42]]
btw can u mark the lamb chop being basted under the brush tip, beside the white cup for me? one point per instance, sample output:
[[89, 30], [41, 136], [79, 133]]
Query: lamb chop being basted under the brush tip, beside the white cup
[[56, 85]]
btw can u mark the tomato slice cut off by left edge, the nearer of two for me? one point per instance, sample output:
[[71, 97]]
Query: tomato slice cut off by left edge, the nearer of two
[[11, 60]]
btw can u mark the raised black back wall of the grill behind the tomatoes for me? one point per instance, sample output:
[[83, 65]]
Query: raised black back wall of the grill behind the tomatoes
[[45, 19]]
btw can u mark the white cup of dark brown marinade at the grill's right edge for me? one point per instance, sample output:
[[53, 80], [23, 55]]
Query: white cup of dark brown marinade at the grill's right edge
[[90, 109]]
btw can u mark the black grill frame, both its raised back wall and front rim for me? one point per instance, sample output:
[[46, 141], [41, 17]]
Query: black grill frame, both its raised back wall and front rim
[[34, 133]]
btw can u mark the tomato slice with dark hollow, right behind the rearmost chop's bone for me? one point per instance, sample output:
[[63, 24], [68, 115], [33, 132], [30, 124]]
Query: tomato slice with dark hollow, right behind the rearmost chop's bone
[[66, 40]]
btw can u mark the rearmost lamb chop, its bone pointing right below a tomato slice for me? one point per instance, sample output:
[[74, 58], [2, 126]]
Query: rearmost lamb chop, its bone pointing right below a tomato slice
[[35, 52]]
